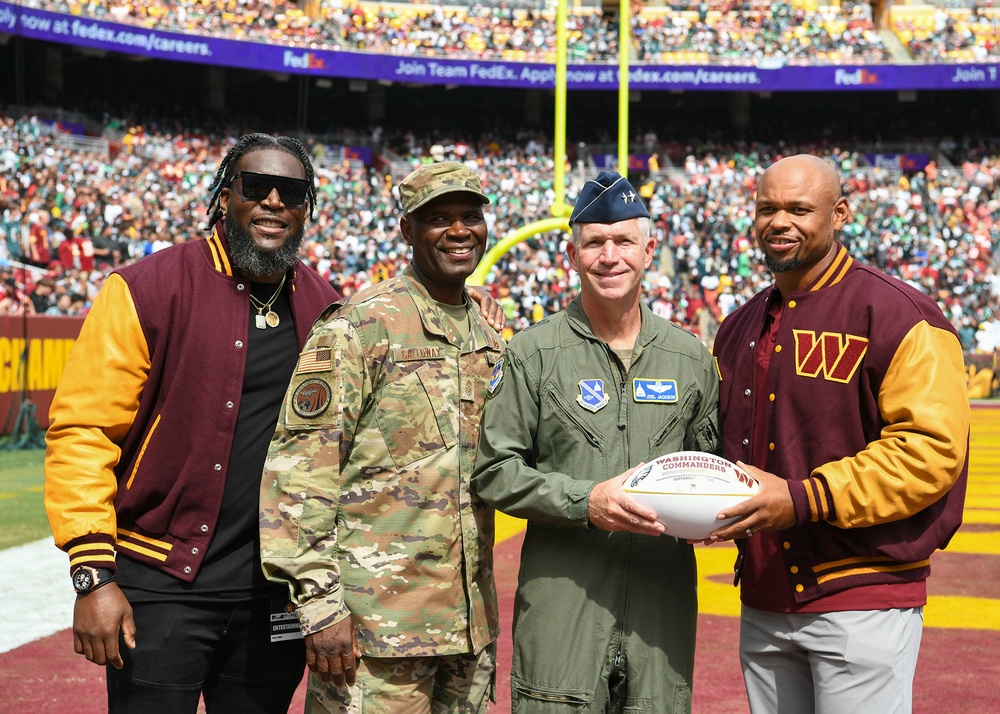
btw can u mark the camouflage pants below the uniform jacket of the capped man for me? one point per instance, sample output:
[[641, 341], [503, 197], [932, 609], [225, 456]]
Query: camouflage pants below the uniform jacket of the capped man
[[411, 685]]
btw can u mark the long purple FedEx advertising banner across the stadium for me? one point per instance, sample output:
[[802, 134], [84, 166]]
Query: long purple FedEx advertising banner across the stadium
[[128, 39]]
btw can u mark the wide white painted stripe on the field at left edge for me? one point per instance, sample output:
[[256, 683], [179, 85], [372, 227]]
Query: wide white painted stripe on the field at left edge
[[36, 593]]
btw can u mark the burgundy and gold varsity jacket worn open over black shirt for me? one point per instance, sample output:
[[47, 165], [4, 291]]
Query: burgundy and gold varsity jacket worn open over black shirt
[[146, 409]]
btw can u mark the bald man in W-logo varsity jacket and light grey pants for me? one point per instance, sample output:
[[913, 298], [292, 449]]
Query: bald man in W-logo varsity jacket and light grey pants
[[843, 390]]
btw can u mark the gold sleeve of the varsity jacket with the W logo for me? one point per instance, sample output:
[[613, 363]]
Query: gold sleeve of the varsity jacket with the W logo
[[922, 447]]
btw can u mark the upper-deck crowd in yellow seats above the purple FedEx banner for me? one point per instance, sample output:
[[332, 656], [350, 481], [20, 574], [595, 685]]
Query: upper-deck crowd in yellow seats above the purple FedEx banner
[[726, 31]]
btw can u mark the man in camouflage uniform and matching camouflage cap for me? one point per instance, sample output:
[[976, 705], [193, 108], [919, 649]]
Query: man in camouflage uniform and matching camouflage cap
[[366, 509]]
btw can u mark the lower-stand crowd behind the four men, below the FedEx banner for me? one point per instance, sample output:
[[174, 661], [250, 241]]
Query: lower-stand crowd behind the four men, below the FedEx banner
[[87, 212]]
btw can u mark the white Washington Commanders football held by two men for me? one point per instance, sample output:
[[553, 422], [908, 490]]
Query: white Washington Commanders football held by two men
[[687, 489]]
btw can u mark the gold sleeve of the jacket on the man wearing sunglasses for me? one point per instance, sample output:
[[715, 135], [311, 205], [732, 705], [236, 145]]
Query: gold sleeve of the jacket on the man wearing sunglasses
[[91, 413]]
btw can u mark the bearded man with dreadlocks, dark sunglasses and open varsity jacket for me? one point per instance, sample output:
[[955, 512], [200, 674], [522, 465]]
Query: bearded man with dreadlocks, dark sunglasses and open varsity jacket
[[159, 430]]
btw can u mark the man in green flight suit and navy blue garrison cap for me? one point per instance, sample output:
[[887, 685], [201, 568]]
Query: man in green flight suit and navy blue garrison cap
[[606, 606]]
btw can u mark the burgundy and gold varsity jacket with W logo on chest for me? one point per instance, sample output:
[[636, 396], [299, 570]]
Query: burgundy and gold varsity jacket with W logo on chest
[[867, 420]]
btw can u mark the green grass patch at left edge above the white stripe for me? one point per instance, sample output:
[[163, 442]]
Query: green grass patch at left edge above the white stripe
[[21, 509]]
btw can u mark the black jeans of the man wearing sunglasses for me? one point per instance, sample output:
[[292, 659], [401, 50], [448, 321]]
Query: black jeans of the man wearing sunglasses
[[220, 650]]
